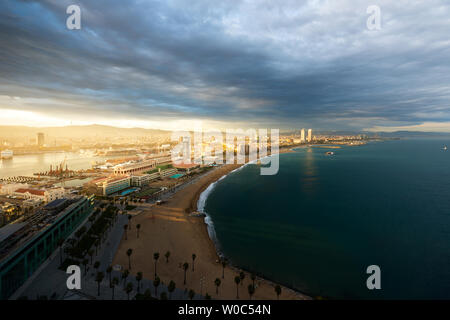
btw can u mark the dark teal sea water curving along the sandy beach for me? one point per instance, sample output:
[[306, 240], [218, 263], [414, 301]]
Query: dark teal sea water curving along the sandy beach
[[322, 220]]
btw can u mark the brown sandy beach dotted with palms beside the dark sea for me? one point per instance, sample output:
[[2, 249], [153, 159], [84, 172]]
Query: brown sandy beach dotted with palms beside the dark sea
[[168, 227]]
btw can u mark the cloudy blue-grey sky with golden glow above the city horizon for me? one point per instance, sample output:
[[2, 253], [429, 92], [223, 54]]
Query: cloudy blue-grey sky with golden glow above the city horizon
[[226, 64]]
